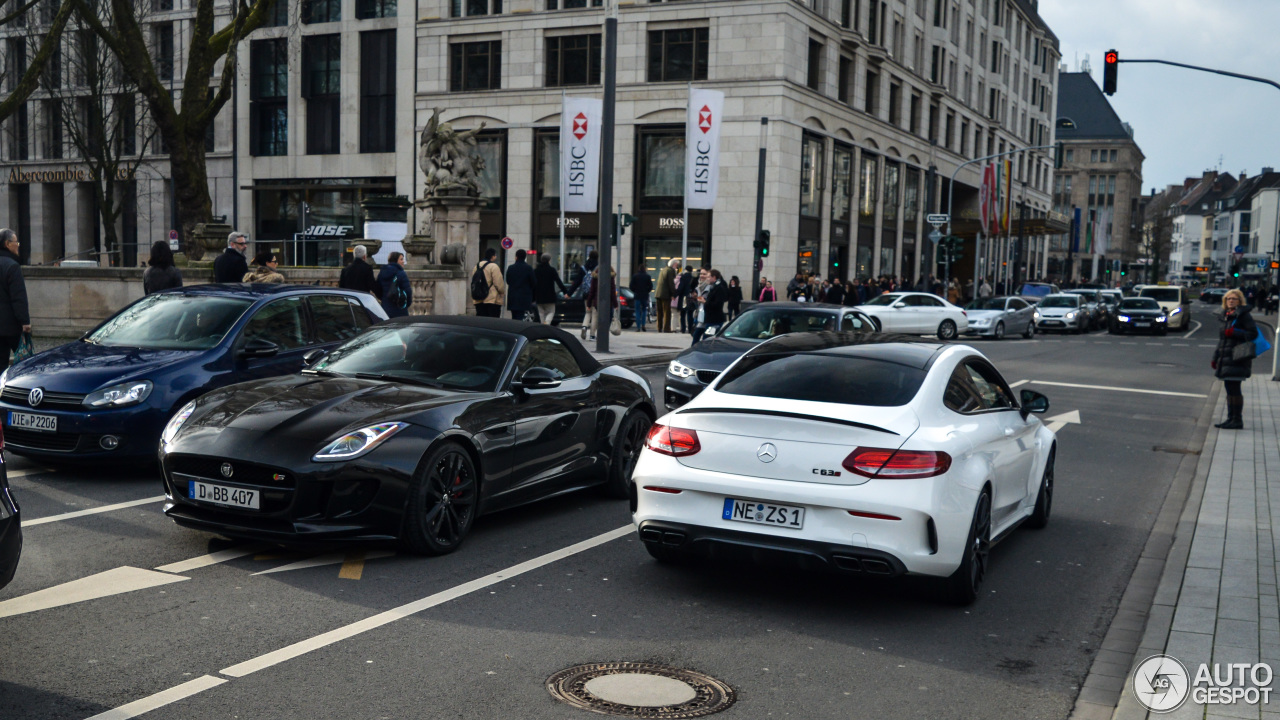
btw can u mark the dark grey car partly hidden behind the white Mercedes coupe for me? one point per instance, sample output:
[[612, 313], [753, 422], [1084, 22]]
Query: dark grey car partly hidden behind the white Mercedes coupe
[[696, 368]]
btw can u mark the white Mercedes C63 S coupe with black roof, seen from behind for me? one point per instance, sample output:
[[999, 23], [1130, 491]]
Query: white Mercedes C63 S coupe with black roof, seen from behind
[[865, 454]]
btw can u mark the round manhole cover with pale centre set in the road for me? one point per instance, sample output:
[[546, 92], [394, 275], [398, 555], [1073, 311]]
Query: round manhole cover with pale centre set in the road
[[641, 690]]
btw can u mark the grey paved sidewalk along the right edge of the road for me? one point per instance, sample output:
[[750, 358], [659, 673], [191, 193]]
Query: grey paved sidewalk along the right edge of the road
[[1217, 599]]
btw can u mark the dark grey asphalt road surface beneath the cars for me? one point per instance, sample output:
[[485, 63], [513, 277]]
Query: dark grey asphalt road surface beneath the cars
[[790, 644]]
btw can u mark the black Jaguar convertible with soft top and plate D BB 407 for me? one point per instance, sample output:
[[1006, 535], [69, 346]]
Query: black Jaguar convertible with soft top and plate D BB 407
[[406, 432]]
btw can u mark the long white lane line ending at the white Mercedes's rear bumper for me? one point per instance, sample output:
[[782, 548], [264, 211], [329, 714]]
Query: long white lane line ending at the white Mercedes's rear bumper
[[339, 635]]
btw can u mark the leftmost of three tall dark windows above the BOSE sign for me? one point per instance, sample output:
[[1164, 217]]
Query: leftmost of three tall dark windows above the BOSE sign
[[269, 97]]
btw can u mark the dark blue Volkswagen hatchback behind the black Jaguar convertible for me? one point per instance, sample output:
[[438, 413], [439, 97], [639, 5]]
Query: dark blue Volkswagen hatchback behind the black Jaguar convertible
[[109, 395]]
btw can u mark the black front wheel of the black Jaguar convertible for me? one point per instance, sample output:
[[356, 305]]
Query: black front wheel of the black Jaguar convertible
[[442, 505]]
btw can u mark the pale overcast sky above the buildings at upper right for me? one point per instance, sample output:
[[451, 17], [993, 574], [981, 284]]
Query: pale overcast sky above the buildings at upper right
[[1183, 120]]
